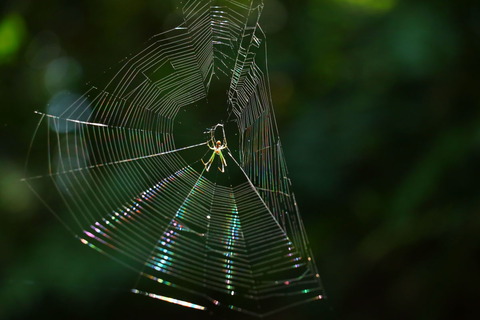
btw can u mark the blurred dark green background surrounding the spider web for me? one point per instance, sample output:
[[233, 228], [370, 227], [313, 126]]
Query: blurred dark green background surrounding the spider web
[[377, 102]]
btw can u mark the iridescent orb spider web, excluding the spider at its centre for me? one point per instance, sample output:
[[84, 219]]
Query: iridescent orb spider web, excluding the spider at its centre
[[126, 162]]
